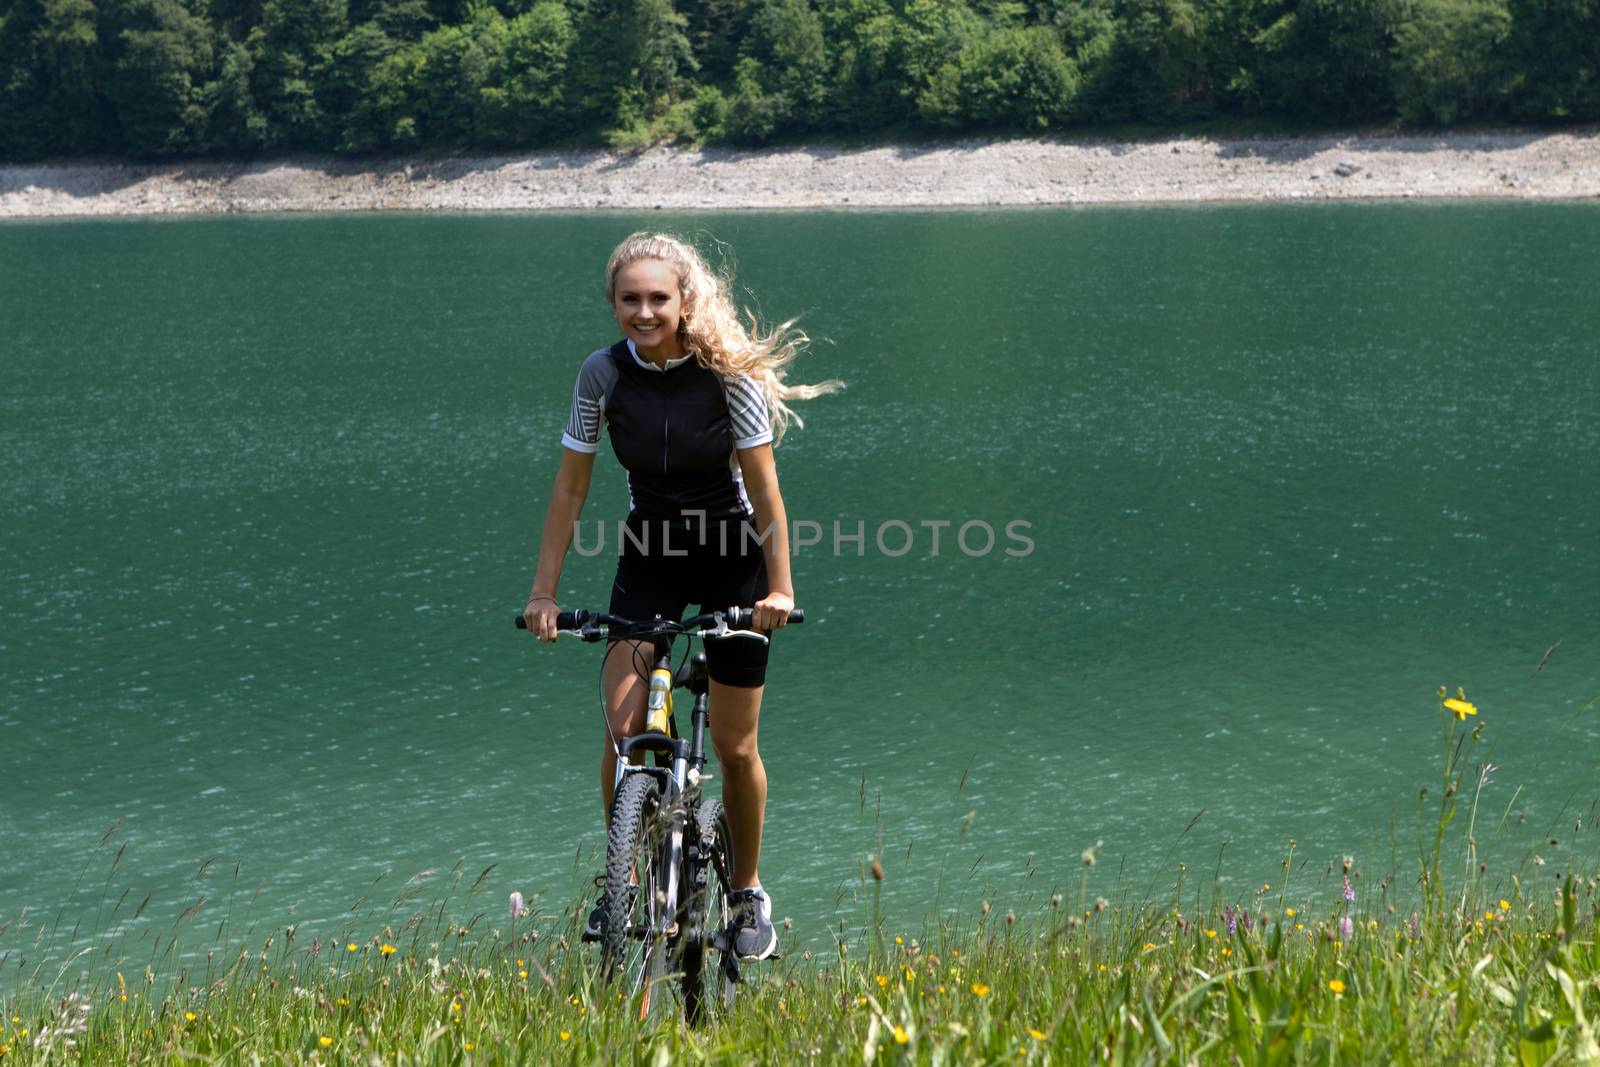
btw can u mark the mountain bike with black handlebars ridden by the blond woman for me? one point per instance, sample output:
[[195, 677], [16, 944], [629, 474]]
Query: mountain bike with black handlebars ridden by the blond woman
[[670, 853]]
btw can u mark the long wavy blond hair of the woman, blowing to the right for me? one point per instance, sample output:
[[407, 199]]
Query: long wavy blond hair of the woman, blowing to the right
[[713, 330]]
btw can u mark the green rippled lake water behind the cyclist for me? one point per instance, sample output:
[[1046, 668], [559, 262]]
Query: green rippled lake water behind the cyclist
[[273, 490]]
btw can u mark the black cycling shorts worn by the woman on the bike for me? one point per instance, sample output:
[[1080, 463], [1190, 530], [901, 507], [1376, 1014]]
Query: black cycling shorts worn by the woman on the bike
[[668, 564]]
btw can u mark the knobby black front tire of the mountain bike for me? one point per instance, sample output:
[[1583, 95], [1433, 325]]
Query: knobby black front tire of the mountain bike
[[633, 940]]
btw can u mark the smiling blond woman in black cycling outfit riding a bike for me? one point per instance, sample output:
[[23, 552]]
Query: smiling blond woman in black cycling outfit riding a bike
[[694, 404]]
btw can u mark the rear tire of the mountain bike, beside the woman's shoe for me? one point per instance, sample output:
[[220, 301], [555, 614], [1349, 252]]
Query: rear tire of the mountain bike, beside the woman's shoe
[[708, 993]]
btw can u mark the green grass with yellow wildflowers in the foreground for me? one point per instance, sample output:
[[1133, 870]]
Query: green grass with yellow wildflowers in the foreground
[[1348, 972]]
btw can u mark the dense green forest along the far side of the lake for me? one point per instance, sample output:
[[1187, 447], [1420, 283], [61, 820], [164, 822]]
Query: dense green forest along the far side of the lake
[[150, 79]]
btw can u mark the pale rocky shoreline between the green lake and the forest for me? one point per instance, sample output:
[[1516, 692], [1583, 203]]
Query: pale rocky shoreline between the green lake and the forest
[[1522, 166]]
